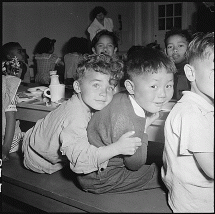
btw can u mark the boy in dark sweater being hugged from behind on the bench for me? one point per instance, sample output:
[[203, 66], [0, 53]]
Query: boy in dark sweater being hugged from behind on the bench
[[149, 85]]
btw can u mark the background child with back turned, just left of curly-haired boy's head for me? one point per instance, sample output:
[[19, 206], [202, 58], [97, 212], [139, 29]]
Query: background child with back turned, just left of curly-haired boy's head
[[75, 48]]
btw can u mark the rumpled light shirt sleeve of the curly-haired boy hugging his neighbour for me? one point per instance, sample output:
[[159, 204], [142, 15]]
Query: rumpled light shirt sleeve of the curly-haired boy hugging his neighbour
[[83, 157]]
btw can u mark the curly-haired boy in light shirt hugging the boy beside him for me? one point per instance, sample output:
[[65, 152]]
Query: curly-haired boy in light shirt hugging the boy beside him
[[62, 134]]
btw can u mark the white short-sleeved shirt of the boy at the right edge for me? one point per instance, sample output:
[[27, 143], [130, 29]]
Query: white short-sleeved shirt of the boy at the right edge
[[189, 128]]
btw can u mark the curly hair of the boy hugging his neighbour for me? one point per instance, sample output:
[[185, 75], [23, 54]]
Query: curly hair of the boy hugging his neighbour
[[101, 63]]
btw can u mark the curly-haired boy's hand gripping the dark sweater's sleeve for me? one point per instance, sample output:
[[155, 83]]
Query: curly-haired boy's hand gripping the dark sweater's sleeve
[[127, 145]]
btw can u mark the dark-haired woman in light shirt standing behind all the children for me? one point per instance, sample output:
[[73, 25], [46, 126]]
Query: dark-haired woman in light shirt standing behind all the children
[[99, 21]]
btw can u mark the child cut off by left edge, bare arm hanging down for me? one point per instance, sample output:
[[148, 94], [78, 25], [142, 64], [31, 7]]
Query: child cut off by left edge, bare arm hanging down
[[11, 132]]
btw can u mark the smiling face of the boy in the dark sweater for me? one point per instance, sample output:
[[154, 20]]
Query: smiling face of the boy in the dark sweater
[[152, 90]]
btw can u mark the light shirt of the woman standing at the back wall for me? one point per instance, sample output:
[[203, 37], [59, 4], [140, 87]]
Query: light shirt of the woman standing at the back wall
[[96, 26]]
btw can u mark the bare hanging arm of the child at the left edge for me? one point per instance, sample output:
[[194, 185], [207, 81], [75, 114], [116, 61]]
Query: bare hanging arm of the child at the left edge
[[9, 133]]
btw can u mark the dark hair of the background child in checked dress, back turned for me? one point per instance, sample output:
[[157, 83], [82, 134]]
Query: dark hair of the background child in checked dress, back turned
[[44, 45]]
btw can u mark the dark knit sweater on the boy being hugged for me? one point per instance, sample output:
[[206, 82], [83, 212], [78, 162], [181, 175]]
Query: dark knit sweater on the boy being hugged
[[109, 124]]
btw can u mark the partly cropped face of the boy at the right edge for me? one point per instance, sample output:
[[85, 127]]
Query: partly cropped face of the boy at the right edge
[[204, 76]]
